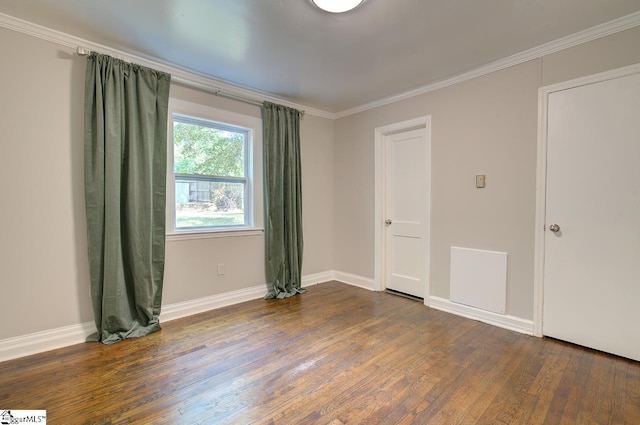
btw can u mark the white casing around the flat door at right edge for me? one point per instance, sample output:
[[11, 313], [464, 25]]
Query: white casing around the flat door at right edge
[[541, 179]]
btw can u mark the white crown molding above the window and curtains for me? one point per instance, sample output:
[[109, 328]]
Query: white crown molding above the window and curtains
[[182, 73]]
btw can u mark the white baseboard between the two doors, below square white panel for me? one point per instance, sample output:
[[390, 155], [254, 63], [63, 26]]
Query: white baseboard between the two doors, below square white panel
[[503, 321]]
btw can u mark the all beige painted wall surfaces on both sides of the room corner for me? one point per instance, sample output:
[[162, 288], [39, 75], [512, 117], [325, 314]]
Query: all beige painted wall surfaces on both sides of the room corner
[[486, 125]]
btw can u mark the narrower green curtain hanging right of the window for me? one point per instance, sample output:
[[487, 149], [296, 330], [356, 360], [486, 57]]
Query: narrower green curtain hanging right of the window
[[283, 200]]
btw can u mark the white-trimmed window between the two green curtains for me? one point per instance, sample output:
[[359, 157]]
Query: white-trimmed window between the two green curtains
[[211, 184]]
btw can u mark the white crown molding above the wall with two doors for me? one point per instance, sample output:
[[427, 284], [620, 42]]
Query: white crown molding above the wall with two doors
[[593, 33]]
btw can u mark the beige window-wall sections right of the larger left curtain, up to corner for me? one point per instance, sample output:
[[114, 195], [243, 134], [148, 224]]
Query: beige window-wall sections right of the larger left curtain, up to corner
[[191, 264]]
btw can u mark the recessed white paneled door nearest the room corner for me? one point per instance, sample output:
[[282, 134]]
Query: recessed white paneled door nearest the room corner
[[405, 212]]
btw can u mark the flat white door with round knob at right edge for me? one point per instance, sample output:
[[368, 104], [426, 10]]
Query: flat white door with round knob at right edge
[[592, 237]]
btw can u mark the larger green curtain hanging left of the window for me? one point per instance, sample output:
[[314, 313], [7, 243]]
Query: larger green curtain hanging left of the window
[[125, 147]]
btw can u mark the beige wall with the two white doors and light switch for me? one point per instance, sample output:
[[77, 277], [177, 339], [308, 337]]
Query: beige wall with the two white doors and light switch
[[487, 125]]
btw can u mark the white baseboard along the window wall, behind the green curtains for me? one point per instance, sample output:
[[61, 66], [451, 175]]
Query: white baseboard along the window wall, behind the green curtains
[[38, 342]]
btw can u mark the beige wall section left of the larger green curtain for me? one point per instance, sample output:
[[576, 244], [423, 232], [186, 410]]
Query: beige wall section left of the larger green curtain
[[43, 260]]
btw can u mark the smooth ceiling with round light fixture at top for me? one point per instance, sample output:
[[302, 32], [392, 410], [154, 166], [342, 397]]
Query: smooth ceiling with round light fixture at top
[[292, 50]]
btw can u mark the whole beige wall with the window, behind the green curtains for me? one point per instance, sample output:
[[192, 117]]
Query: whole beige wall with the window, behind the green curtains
[[43, 261]]
